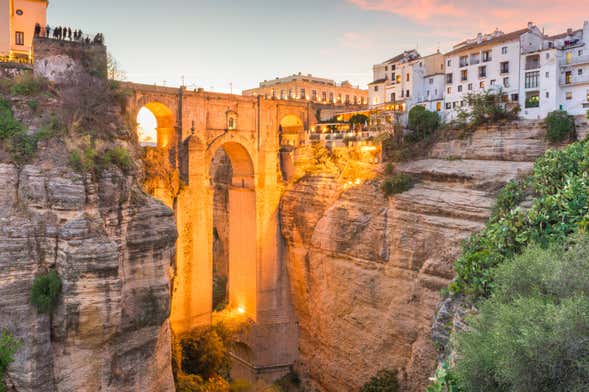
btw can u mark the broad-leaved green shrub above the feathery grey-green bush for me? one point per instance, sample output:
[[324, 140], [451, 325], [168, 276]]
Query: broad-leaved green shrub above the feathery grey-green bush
[[560, 186]]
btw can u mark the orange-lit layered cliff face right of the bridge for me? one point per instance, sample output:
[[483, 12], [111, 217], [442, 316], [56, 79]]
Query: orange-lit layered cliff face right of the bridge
[[366, 272]]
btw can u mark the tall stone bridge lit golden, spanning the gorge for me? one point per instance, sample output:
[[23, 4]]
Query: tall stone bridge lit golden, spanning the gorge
[[192, 126]]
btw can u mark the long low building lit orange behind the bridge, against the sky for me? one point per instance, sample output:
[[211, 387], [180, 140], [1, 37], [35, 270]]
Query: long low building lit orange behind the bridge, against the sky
[[310, 88]]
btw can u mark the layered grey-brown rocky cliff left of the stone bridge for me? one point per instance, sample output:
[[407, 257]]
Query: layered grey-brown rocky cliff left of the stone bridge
[[110, 243]]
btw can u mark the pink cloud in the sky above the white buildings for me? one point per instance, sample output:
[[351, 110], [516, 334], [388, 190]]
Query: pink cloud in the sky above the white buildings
[[467, 17]]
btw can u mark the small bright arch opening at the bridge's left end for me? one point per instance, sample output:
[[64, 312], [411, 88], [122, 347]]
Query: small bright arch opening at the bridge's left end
[[155, 125]]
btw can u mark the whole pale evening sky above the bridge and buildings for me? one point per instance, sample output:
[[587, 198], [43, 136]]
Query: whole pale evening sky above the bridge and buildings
[[231, 45]]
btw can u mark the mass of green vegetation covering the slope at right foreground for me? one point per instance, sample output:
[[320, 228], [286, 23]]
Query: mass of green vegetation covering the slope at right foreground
[[526, 271]]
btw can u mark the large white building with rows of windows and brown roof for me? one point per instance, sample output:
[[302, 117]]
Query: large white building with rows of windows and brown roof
[[486, 62]]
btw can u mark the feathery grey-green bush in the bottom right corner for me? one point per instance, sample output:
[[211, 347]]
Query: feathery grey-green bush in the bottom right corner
[[532, 334]]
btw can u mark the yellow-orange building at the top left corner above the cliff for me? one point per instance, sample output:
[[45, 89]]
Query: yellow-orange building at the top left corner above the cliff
[[17, 26]]
